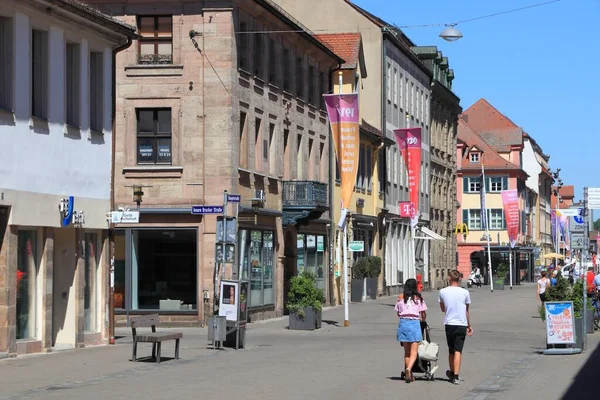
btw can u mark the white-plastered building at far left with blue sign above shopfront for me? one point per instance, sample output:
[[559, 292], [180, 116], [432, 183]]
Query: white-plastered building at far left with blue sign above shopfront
[[56, 94]]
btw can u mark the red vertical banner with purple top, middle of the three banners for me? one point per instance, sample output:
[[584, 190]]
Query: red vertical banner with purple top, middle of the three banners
[[409, 142]]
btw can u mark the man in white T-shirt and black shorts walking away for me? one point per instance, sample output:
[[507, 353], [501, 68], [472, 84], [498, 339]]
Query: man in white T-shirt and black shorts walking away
[[454, 302]]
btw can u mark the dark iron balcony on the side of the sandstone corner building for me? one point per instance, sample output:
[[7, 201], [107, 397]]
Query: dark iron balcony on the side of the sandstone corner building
[[303, 201]]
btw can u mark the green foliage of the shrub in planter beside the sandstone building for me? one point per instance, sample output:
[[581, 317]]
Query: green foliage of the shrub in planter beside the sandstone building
[[304, 293]]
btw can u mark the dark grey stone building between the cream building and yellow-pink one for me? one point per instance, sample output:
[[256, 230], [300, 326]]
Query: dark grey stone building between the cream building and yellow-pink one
[[445, 109]]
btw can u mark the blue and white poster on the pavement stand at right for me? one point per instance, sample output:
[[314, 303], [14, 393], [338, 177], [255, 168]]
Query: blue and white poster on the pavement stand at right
[[560, 322]]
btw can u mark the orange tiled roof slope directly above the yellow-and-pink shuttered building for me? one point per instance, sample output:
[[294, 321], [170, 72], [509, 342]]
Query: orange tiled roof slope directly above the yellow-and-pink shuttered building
[[489, 157]]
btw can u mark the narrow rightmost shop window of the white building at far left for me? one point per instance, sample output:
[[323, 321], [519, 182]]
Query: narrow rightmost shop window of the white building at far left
[[90, 289]]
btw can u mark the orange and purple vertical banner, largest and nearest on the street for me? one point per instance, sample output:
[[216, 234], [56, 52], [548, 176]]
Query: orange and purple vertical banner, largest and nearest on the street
[[342, 110]]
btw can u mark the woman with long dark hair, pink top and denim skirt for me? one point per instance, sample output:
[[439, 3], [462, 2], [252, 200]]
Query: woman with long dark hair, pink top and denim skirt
[[411, 310]]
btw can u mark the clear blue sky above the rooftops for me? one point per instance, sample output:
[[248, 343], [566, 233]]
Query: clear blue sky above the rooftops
[[540, 67]]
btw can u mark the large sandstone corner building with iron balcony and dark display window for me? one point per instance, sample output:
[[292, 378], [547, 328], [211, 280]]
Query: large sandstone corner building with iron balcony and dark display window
[[209, 101]]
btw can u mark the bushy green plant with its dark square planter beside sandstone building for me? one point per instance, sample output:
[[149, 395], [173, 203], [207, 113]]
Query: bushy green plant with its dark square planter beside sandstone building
[[305, 302]]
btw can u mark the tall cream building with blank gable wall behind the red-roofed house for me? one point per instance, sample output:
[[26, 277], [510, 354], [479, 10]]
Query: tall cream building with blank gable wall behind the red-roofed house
[[398, 85]]
